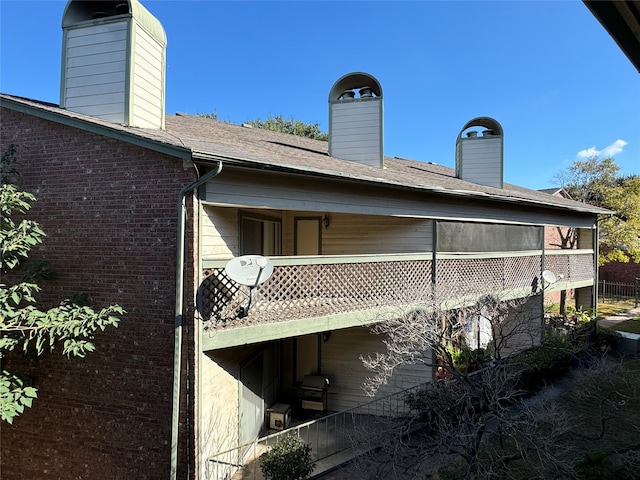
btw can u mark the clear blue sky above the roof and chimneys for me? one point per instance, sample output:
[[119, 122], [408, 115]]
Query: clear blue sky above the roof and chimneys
[[546, 70]]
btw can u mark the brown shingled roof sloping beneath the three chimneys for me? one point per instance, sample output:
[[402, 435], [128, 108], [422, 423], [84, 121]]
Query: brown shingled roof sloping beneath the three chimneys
[[203, 140]]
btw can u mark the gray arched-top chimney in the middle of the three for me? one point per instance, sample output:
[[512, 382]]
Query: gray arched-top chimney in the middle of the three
[[355, 120]]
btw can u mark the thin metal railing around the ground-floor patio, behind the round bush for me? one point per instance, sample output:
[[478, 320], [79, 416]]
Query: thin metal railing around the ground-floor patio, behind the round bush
[[328, 435]]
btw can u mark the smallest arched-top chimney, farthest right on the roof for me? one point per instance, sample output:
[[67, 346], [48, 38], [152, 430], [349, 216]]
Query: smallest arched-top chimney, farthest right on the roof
[[479, 158]]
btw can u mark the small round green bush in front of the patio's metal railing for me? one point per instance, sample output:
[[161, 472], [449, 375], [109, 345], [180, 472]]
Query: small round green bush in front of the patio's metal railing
[[289, 459]]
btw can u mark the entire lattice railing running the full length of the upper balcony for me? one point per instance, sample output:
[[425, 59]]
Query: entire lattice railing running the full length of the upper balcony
[[306, 287]]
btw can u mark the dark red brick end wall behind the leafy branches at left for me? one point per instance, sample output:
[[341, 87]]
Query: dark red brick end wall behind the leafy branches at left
[[110, 213]]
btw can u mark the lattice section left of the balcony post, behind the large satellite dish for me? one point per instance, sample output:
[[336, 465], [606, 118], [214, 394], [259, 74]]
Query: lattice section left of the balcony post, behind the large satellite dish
[[304, 291]]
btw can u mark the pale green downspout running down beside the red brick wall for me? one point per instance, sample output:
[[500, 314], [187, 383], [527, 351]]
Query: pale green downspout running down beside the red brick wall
[[177, 350]]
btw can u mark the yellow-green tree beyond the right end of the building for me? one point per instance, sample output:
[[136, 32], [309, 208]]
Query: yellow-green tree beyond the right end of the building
[[595, 181]]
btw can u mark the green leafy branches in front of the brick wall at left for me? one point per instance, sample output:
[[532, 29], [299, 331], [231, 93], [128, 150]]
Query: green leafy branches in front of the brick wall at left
[[24, 327]]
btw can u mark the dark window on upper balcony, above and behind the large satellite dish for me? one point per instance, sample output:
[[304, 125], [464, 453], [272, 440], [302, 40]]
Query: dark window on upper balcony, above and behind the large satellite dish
[[260, 236]]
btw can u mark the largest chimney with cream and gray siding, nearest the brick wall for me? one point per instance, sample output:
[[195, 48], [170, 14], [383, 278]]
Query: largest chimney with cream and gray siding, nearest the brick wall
[[113, 62]]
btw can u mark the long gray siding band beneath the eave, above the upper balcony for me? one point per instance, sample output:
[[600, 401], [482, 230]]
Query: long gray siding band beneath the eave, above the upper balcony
[[281, 192]]
